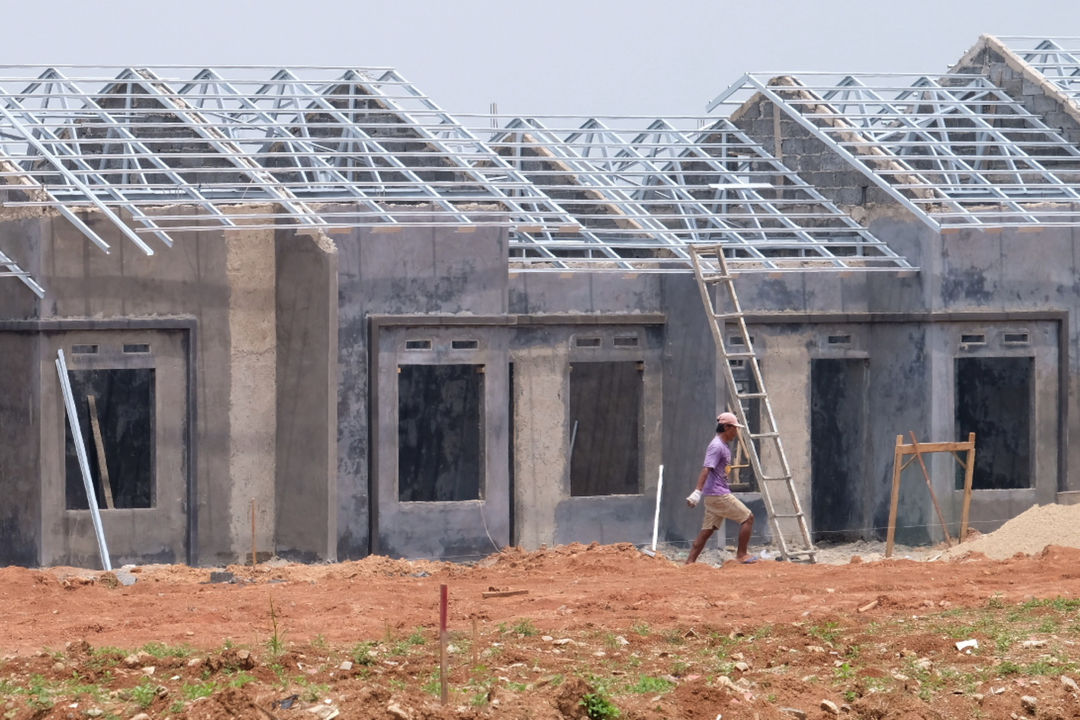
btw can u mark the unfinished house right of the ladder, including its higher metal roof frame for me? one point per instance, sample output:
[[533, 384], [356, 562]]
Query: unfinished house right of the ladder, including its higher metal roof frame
[[982, 195]]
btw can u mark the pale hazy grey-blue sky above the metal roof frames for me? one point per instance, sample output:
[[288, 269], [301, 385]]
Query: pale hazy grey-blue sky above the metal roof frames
[[602, 58]]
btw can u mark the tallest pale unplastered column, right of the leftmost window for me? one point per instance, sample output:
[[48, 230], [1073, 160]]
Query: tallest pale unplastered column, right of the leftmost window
[[250, 267]]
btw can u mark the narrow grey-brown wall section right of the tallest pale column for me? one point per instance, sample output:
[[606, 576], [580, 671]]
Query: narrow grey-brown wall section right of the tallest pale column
[[306, 486]]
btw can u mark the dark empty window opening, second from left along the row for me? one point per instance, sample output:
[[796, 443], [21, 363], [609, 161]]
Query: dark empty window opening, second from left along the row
[[440, 438]]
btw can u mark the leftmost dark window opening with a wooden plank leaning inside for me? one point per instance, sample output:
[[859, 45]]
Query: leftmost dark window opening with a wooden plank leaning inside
[[118, 428]]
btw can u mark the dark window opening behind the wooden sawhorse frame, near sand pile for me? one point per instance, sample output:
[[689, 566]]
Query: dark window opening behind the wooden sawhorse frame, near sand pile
[[994, 401]]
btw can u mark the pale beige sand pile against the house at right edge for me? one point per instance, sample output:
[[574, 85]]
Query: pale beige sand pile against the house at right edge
[[1030, 533]]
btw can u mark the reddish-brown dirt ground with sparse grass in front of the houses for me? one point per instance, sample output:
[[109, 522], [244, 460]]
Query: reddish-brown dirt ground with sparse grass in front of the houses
[[592, 632]]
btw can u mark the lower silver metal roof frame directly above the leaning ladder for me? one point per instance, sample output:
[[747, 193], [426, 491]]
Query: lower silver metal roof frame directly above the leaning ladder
[[665, 188]]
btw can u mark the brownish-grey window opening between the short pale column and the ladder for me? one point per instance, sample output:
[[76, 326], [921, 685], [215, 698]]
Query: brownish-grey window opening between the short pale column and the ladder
[[605, 428]]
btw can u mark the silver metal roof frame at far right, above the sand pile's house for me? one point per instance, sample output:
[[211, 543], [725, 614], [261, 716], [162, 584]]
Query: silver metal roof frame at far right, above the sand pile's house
[[955, 150]]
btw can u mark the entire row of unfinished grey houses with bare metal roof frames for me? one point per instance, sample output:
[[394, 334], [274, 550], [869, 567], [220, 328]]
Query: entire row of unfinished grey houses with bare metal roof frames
[[310, 314]]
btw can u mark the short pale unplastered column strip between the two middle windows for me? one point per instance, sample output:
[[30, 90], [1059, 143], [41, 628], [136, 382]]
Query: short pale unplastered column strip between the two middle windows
[[542, 443]]
